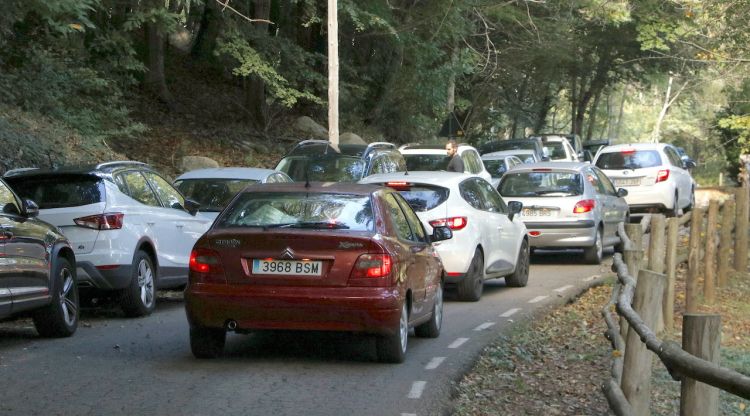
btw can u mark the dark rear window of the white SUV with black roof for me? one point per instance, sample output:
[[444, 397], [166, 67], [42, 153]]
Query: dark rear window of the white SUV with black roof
[[59, 191]]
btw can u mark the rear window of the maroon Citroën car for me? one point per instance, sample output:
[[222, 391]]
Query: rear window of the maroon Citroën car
[[299, 210]]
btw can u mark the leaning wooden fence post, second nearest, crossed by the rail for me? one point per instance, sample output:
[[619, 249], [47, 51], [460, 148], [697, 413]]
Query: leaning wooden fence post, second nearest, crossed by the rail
[[636, 375]]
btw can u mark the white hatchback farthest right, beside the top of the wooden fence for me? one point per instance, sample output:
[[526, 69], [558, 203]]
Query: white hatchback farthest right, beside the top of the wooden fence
[[653, 174]]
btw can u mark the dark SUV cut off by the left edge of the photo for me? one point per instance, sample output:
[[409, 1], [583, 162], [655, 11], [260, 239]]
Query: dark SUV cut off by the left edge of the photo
[[37, 269]]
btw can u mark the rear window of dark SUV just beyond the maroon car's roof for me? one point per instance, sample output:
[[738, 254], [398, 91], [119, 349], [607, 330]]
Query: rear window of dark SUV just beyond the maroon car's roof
[[328, 168]]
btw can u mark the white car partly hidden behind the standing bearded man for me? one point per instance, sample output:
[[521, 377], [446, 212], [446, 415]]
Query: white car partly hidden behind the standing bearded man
[[432, 157]]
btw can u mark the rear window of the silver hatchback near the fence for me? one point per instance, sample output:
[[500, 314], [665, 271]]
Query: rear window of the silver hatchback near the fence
[[551, 184]]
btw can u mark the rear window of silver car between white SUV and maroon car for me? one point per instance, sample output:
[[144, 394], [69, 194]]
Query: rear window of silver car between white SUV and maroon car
[[212, 194]]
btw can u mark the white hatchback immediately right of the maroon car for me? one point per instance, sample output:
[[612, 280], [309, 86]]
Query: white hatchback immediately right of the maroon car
[[489, 239]]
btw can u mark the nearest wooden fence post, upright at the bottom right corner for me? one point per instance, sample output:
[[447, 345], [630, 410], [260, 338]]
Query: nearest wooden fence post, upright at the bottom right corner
[[701, 336]]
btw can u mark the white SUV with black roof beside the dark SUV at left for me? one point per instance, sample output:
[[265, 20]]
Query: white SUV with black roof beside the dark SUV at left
[[131, 231]]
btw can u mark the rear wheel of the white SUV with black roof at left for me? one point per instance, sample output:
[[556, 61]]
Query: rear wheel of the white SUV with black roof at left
[[139, 298]]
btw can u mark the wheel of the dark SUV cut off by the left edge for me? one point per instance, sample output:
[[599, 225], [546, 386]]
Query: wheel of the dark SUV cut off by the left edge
[[60, 317]]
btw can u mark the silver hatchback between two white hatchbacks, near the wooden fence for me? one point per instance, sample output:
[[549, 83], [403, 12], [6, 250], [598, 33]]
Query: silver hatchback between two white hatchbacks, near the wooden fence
[[567, 205]]
